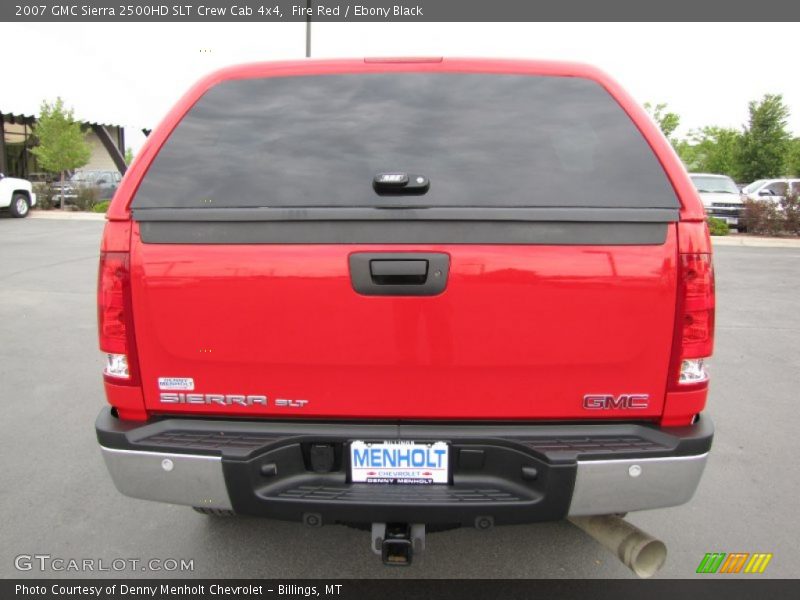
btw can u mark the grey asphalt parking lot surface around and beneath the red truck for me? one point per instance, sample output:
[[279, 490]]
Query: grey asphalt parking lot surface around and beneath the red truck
[[57, 499]]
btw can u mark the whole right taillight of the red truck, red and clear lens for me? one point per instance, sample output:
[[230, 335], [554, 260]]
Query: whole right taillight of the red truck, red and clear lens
[[695, 317]]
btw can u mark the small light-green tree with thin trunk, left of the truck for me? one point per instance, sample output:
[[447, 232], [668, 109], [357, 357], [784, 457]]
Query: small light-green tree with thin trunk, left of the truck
[[61, 145]]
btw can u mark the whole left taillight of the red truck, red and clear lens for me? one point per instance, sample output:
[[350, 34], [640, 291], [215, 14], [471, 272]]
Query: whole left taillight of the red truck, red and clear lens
[[113, 317]]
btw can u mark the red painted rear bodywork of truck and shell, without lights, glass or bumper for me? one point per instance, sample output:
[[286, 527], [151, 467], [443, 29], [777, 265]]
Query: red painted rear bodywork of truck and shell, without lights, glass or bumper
[[521, 332]]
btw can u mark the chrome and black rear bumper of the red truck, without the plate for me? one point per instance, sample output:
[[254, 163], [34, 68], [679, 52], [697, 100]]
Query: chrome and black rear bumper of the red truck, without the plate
[[505, 473]]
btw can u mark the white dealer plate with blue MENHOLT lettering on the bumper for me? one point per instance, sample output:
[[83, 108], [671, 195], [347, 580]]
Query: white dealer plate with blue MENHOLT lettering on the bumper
[[399, 462]]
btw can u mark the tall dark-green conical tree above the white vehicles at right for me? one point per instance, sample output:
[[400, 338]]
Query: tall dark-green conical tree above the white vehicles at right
[[766, 139]]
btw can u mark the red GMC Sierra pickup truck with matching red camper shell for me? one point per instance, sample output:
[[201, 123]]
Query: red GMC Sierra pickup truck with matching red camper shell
[[406, 294]]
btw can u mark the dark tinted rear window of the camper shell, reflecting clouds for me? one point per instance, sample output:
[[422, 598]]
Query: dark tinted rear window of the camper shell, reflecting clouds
[[483, 140]]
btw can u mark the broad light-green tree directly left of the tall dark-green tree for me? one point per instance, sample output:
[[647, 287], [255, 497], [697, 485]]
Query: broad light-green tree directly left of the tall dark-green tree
[[713, 150]]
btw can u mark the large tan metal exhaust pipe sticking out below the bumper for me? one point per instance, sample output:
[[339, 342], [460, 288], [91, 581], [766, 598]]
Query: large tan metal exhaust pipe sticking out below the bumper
[[642, 553]]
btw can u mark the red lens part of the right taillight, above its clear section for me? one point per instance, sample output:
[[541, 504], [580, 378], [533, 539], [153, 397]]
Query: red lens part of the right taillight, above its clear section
[[697, 337]]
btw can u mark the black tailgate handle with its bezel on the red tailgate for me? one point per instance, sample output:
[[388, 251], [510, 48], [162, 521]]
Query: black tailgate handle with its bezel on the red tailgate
[[399, 273]]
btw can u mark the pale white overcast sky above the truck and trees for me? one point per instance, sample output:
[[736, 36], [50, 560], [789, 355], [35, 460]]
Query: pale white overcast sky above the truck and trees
[[132, 73]]
